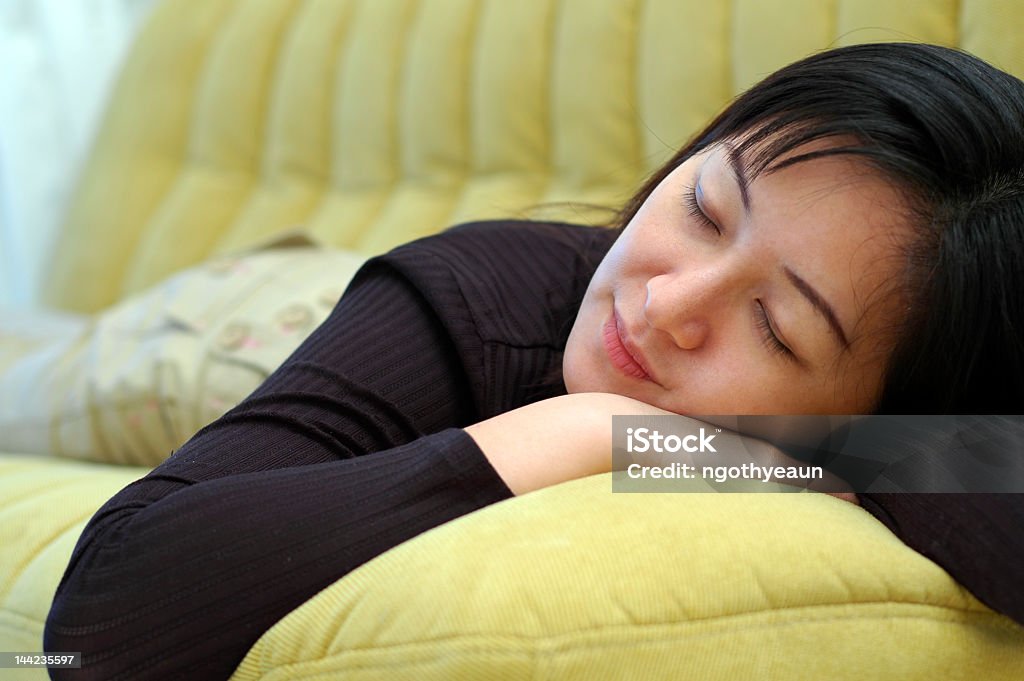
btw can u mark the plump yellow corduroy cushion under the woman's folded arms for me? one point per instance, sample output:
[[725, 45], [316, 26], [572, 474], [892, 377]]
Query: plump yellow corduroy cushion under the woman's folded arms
[[578, 583]]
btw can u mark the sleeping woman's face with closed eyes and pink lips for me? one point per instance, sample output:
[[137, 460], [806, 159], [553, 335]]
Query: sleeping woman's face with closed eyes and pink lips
[[728, 296]]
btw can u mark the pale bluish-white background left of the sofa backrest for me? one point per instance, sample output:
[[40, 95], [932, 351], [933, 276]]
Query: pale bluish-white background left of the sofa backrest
[[58, 62]]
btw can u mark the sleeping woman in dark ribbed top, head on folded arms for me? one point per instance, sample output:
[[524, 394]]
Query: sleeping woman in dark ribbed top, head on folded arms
[[846, 238]]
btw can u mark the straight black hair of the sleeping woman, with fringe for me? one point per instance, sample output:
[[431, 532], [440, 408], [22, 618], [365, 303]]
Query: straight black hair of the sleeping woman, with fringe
[[948, 131]]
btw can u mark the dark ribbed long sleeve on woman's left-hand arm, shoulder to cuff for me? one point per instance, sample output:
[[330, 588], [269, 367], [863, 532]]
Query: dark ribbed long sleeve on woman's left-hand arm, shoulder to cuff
[[351, 448]]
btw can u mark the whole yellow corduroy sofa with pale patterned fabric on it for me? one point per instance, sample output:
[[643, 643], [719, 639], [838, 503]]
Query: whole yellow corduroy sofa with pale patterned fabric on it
[[255, 151]]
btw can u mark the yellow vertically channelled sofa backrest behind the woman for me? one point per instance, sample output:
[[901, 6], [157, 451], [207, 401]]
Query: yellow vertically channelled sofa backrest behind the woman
[[372, 122]]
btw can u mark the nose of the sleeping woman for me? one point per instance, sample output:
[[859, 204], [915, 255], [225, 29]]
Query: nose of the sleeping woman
[[688, 306]]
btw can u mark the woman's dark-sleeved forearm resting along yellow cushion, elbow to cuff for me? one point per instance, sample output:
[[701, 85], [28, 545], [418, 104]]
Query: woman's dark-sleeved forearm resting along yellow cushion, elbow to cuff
[[184, 586]]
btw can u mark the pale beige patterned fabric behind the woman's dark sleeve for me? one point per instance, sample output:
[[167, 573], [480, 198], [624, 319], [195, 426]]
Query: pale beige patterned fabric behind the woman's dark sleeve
[[135, 382]]
